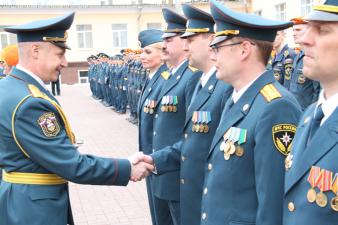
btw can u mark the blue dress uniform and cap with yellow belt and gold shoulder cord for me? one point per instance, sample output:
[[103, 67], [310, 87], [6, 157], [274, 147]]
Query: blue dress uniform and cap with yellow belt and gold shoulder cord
[[36, 147]]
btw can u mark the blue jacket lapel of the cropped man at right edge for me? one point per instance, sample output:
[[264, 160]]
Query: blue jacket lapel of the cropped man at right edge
[[322, 142]]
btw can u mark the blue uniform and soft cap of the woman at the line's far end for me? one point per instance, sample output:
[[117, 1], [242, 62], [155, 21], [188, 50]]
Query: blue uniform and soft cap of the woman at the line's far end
[[147, 103]]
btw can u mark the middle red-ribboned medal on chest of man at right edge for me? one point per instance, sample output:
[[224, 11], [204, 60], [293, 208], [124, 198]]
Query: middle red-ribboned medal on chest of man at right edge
[[324, 184]]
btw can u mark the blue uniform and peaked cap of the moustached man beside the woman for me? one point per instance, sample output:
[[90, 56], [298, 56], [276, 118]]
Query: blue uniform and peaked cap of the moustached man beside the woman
[[170, 114]]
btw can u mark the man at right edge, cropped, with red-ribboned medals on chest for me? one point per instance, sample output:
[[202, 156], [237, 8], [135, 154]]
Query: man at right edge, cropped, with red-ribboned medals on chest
[[311, 179]]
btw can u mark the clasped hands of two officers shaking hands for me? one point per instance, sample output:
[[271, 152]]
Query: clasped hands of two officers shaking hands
[[141, 166]]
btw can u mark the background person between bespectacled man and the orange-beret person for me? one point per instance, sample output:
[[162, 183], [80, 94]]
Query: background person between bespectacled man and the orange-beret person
[[281, 58]]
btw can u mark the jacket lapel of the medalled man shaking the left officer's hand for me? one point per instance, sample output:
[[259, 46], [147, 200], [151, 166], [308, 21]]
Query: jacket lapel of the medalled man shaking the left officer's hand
[[201, 97]]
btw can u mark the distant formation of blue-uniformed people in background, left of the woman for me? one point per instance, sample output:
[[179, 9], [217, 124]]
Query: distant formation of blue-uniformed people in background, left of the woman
[[117, 80]]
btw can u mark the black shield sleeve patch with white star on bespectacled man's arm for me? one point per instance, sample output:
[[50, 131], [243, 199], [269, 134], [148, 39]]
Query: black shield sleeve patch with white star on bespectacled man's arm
[[282, 135]]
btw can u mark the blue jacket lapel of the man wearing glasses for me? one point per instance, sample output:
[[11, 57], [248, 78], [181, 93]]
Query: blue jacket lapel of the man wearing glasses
[[241, 108]]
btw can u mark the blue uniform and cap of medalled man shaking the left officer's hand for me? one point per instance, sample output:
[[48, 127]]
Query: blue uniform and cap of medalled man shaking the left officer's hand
[[203, 115]]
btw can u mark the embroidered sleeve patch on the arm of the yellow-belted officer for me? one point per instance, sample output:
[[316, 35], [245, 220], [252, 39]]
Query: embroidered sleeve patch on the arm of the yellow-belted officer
[[49, 124]]
